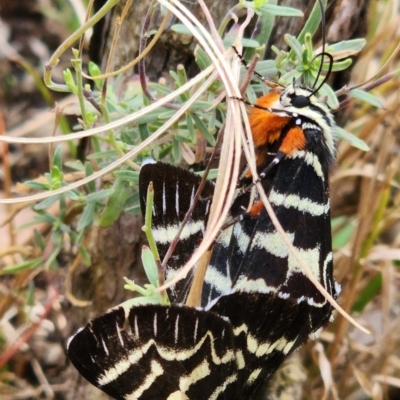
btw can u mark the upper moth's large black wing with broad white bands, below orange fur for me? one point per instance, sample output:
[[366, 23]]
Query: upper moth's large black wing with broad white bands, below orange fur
[[251, 256]]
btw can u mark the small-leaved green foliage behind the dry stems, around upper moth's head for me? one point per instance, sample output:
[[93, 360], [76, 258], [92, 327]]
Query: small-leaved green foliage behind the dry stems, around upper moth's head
[[102, 202]]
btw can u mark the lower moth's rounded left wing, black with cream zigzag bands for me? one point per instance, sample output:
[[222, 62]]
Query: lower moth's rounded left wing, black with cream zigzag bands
[[154, 352]]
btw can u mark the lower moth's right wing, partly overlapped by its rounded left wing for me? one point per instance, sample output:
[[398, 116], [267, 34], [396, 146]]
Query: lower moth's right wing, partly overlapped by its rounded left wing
[[266, 330]]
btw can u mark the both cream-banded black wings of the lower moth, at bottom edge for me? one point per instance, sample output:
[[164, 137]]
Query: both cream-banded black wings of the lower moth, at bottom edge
[[169, 353]]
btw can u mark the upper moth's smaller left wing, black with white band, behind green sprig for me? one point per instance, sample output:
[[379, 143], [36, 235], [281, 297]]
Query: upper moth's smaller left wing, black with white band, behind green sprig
[[174, 191]]
